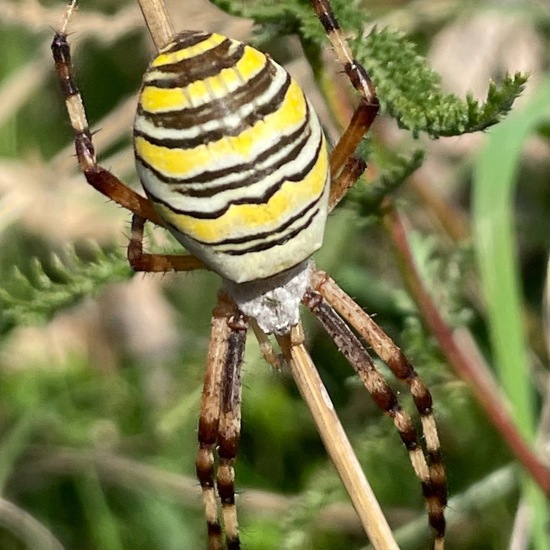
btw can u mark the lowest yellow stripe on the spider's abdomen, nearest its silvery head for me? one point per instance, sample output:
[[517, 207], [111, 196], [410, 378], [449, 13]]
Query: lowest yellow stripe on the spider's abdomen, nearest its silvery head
[[246, 219]]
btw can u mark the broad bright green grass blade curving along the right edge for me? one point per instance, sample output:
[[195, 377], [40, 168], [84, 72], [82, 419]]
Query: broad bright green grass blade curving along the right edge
[[494, 184]]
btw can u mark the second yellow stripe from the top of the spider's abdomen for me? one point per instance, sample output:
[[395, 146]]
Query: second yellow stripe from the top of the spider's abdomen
[[157, 100]]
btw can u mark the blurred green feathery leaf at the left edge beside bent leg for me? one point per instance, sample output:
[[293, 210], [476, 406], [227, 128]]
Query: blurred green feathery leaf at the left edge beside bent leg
[[49, 288]]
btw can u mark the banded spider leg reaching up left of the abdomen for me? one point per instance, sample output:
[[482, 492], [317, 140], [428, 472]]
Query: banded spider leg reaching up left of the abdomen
[[98, 177]]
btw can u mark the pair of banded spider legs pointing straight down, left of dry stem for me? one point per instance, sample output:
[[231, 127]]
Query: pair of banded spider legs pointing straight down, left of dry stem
[[220, 421]]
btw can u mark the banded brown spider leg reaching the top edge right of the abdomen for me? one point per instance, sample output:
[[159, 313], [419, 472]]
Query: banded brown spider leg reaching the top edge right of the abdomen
[[366, 111]]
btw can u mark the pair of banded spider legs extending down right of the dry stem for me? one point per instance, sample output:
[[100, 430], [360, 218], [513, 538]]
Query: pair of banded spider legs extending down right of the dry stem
[[432, 476]]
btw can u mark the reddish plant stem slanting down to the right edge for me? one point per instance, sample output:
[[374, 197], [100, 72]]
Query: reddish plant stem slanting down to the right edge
[[484, 389]]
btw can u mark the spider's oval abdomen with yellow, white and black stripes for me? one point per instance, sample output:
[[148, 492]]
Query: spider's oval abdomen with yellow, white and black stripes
[[232, 155]]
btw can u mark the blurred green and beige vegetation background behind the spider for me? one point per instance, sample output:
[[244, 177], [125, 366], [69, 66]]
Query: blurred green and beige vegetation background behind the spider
[[101, 370]]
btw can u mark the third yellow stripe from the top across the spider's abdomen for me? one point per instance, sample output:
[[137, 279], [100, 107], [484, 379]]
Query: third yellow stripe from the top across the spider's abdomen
[[178, 162]]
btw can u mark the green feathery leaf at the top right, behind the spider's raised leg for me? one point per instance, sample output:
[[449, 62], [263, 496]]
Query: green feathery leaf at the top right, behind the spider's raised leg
[[408, 89]]
